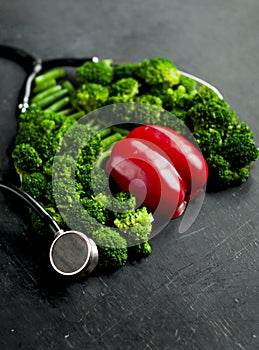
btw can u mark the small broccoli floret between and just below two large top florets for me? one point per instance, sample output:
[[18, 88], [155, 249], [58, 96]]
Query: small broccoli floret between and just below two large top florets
[[125, 88]]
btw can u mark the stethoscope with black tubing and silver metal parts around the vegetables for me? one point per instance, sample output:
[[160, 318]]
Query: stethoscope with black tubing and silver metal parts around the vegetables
[[71, 252]]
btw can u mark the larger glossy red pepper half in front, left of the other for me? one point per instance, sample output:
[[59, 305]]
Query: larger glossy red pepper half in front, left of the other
[[140, 169]]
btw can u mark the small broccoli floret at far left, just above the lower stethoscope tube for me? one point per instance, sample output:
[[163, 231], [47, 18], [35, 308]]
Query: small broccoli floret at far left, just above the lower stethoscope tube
[[35, 184]]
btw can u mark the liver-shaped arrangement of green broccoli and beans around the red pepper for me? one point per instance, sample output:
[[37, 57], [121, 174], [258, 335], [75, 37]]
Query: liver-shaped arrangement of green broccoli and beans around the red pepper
[[51, 143]]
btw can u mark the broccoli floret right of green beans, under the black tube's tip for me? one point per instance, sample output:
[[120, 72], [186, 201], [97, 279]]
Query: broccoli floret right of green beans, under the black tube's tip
[[95, 72]]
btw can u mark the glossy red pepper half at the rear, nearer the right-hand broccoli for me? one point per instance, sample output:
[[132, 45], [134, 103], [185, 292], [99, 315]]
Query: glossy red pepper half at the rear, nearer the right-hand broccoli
[[184, 155]]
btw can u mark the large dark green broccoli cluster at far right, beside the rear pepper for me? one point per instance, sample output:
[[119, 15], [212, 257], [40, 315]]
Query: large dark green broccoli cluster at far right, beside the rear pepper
[[227, 145]]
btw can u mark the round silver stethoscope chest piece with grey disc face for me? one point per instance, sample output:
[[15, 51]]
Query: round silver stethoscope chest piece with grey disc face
[[73, 253]]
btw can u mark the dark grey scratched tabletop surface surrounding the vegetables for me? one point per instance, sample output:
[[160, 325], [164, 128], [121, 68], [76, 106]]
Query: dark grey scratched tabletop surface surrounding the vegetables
[[198, 290]]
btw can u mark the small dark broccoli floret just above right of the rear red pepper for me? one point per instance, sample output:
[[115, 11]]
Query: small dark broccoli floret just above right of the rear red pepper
[[209, 141]]
